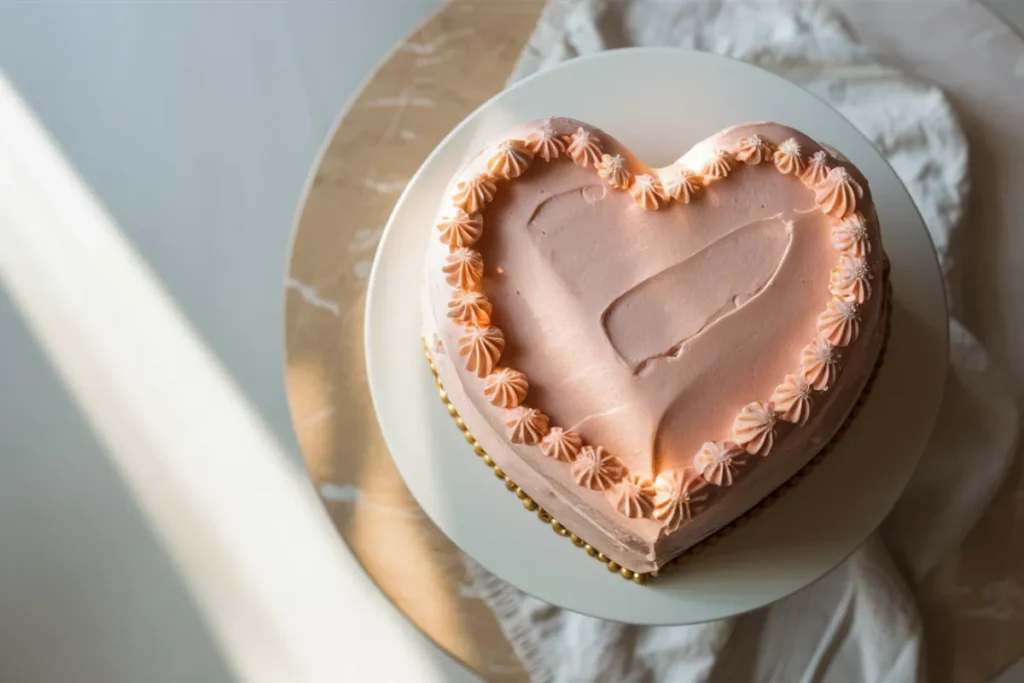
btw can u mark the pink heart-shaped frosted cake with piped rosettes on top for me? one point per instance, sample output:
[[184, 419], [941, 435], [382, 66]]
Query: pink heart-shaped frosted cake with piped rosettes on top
[[651, 353]]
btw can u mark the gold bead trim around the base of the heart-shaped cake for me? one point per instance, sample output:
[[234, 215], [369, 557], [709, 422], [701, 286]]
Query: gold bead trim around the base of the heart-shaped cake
[[764, 504]]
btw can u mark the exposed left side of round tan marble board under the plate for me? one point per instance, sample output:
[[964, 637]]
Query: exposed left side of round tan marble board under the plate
[[415, 99]]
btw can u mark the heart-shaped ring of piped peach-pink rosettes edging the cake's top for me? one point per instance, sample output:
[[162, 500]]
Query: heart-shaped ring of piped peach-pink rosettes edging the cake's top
[[676, 496]]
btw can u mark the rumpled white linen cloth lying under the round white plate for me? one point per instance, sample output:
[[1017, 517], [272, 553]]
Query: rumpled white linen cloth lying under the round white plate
[[861, 622]]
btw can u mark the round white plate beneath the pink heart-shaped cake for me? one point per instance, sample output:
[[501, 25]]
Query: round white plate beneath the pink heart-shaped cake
[[659, 103]]
